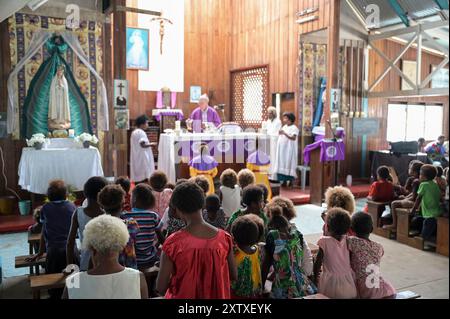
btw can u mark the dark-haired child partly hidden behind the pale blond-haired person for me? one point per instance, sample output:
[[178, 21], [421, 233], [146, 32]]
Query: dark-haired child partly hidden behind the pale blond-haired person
[[81, 217]]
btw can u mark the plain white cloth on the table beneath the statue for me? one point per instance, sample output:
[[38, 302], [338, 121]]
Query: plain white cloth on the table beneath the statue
[[74, 166]]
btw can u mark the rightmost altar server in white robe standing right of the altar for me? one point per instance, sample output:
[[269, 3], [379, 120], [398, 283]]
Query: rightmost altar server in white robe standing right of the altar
[[287, 151]]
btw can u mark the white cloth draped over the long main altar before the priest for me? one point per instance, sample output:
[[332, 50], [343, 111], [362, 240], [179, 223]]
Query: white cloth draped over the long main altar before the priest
[[167, 157]]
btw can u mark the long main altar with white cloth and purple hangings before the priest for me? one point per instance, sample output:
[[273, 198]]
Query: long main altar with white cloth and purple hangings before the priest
[[229, 150]]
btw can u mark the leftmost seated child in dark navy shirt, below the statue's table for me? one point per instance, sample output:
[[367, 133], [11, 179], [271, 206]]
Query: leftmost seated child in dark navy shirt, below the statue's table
[[56, 218]]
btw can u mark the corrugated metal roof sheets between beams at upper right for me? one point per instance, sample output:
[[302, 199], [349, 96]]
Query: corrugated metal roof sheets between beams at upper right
[[415, 9]]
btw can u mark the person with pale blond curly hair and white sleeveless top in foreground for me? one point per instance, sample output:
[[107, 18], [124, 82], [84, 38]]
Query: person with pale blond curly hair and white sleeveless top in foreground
[[106, 236]]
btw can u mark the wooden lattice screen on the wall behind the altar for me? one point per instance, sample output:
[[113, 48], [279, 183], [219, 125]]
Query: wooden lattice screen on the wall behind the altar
[[249, 96]]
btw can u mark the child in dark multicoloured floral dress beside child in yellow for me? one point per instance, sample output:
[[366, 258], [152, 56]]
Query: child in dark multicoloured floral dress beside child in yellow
[[289, 254]]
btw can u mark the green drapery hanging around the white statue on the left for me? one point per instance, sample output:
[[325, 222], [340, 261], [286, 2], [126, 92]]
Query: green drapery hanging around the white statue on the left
[[36, 106]]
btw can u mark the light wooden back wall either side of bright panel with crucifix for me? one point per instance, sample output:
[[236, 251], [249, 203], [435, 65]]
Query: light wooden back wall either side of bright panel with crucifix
[[206, 56]]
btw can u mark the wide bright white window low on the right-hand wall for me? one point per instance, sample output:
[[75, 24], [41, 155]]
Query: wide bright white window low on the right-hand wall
[[409, 122]]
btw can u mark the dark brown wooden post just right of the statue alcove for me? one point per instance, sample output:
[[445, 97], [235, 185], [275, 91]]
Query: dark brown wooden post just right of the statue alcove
[[120, 72]]
